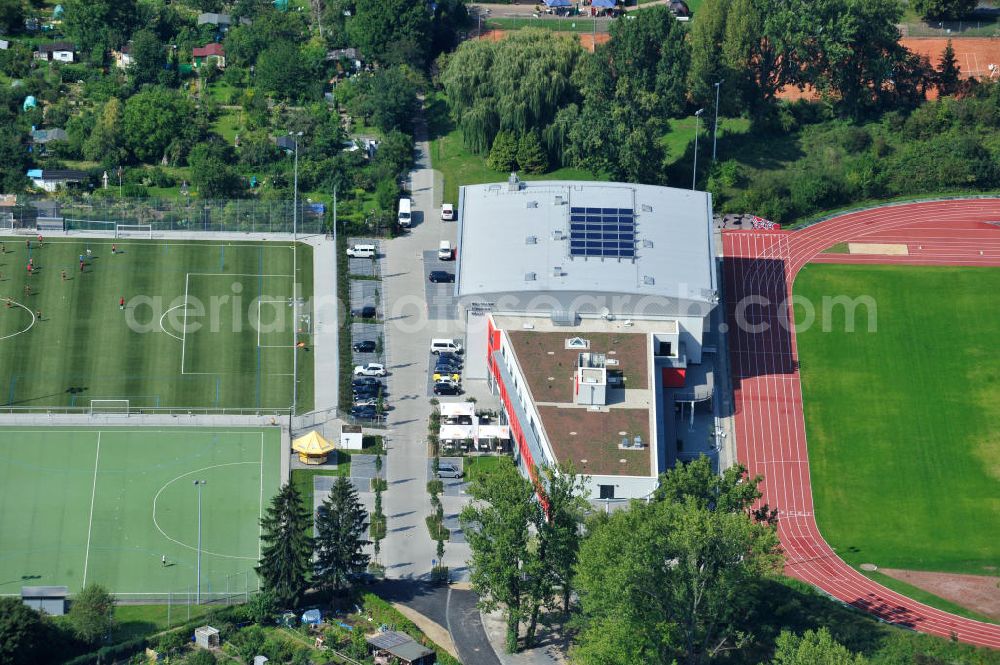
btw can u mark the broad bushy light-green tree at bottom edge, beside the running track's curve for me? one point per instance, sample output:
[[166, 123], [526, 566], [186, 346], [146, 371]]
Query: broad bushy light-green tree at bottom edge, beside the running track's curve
[[670, 580]]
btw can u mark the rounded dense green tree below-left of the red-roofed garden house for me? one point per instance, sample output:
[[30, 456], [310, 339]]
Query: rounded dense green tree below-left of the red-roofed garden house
[[154, 119]]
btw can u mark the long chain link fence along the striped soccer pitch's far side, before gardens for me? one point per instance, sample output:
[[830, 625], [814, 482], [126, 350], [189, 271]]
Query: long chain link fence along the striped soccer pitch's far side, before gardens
[[227, 215]]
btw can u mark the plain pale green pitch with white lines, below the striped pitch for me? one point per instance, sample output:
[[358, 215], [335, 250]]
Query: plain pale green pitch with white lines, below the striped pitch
[[105, 505]]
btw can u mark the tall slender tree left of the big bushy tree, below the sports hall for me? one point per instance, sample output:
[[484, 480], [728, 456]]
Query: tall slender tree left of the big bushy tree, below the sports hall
[[496, 526]]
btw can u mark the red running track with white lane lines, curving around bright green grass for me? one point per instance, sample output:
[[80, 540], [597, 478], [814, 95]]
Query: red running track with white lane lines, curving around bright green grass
[[760, 267]]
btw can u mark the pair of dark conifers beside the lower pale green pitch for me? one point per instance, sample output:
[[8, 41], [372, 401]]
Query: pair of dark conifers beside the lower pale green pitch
[[292, 561]]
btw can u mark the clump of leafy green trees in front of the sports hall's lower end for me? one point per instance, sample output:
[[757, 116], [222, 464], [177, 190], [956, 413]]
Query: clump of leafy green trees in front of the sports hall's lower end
[[666, 581]]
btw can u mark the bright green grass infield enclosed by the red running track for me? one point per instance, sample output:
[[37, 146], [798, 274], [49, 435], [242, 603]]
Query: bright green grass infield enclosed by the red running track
[[903, 424]]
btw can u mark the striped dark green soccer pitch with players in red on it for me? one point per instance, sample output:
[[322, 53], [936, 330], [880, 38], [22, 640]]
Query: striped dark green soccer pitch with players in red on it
[[206, 324]]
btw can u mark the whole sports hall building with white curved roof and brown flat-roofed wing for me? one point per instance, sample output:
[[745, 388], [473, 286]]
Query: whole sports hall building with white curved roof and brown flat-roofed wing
[[586, 306]]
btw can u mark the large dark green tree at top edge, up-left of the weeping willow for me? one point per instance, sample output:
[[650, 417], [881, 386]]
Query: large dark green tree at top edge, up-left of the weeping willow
[[392, 31]]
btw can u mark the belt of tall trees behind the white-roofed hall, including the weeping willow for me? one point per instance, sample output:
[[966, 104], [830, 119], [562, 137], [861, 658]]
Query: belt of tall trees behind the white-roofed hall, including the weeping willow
[[608, 111]]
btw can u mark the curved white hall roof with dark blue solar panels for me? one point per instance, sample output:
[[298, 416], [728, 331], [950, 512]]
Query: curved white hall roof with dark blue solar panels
[[527, 236]]
